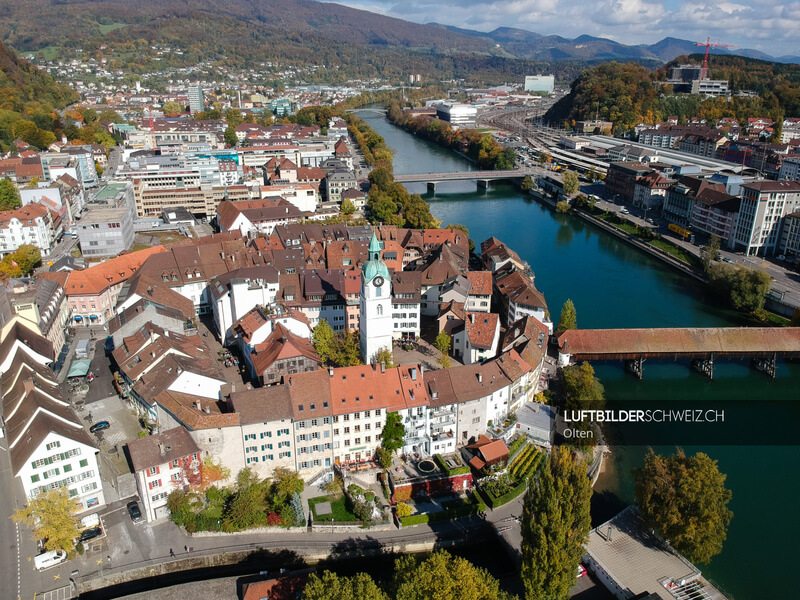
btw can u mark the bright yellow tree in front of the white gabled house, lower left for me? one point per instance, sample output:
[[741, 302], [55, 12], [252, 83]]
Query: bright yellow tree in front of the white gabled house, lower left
[[51, 517]]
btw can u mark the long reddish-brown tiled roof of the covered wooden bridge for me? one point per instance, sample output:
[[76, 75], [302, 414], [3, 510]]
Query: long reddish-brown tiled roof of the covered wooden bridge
[[608, 343]]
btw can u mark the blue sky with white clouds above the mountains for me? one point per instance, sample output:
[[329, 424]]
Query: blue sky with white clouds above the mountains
[[766, 25]]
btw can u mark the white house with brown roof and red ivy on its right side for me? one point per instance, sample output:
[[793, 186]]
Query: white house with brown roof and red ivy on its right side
[[162, 463]]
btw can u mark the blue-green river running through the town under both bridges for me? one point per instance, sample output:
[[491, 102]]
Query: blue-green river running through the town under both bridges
[[614, 285]]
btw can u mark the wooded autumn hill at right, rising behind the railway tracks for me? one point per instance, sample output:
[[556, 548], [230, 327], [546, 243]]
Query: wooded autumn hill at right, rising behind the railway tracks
[[626, 94]]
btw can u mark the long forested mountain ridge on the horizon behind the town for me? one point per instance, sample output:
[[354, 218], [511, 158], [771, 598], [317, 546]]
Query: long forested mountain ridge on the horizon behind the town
[[347, 41]]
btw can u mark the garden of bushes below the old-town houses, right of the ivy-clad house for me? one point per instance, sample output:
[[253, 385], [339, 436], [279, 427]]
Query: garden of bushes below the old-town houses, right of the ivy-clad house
[[250, 503]]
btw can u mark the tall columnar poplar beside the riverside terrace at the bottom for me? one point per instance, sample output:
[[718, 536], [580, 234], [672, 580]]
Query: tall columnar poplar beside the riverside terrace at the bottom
[[555, 526]]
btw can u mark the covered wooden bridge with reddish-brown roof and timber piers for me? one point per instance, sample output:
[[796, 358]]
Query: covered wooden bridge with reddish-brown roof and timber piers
[[762, 345]]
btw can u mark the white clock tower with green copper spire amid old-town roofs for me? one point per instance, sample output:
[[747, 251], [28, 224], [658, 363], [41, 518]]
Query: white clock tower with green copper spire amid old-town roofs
[[376, 304]]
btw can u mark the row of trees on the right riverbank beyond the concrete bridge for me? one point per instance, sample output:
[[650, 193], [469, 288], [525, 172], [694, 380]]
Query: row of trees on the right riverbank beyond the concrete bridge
[[480, 147]]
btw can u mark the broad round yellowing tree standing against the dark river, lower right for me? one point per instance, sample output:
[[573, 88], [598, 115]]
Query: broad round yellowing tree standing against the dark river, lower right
[[685, 500]]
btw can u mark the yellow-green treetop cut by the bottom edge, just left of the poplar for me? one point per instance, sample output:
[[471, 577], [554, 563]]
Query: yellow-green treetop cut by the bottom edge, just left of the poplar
[[442, 575]]
